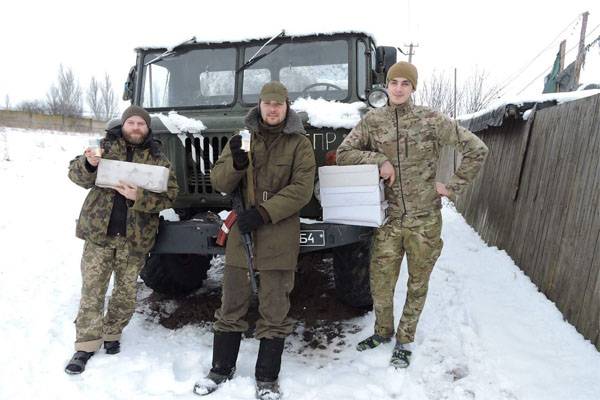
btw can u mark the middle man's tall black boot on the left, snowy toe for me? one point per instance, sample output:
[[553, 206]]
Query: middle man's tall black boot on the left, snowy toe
[[226, 346]]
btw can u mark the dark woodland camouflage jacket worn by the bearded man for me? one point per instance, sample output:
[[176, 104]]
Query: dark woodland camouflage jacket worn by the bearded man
[[142, 215]]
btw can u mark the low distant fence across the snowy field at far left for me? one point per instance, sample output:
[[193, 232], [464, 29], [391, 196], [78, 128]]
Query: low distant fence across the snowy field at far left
[[27, 120]]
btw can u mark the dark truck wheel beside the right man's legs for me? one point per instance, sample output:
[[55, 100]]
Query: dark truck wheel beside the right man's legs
[[351, 271]]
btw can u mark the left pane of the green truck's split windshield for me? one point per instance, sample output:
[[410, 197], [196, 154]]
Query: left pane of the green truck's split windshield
[[199, 77]]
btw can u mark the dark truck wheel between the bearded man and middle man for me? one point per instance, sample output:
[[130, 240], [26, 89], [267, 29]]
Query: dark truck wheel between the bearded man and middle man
[[175, 274]]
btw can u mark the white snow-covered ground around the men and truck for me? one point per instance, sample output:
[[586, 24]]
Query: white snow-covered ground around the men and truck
[[486, 332]]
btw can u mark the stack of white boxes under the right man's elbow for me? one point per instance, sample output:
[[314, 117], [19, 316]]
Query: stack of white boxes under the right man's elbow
[[352, 195]]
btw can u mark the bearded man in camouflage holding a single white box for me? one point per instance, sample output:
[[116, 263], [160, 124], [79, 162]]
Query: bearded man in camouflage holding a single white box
[[119, 228]]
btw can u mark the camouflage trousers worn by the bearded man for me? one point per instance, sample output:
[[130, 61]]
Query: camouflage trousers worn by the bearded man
[[97, 266]]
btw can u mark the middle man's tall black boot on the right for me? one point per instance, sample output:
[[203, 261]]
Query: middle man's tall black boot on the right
[[268, 365]]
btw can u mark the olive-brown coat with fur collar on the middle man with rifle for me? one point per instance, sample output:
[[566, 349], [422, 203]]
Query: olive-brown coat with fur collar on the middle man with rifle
[[284, 177]]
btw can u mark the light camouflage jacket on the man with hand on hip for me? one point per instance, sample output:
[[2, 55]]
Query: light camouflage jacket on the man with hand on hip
[[410, 137]]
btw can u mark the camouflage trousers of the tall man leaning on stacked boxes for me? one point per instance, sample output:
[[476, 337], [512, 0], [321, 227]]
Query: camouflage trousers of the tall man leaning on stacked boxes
[[419, 238]]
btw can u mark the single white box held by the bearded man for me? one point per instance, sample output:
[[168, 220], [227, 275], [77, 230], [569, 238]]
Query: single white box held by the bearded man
[[150, 177]]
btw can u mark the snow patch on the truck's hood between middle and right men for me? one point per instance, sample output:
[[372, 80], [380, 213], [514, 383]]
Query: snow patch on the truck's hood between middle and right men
[[331, 114]]
